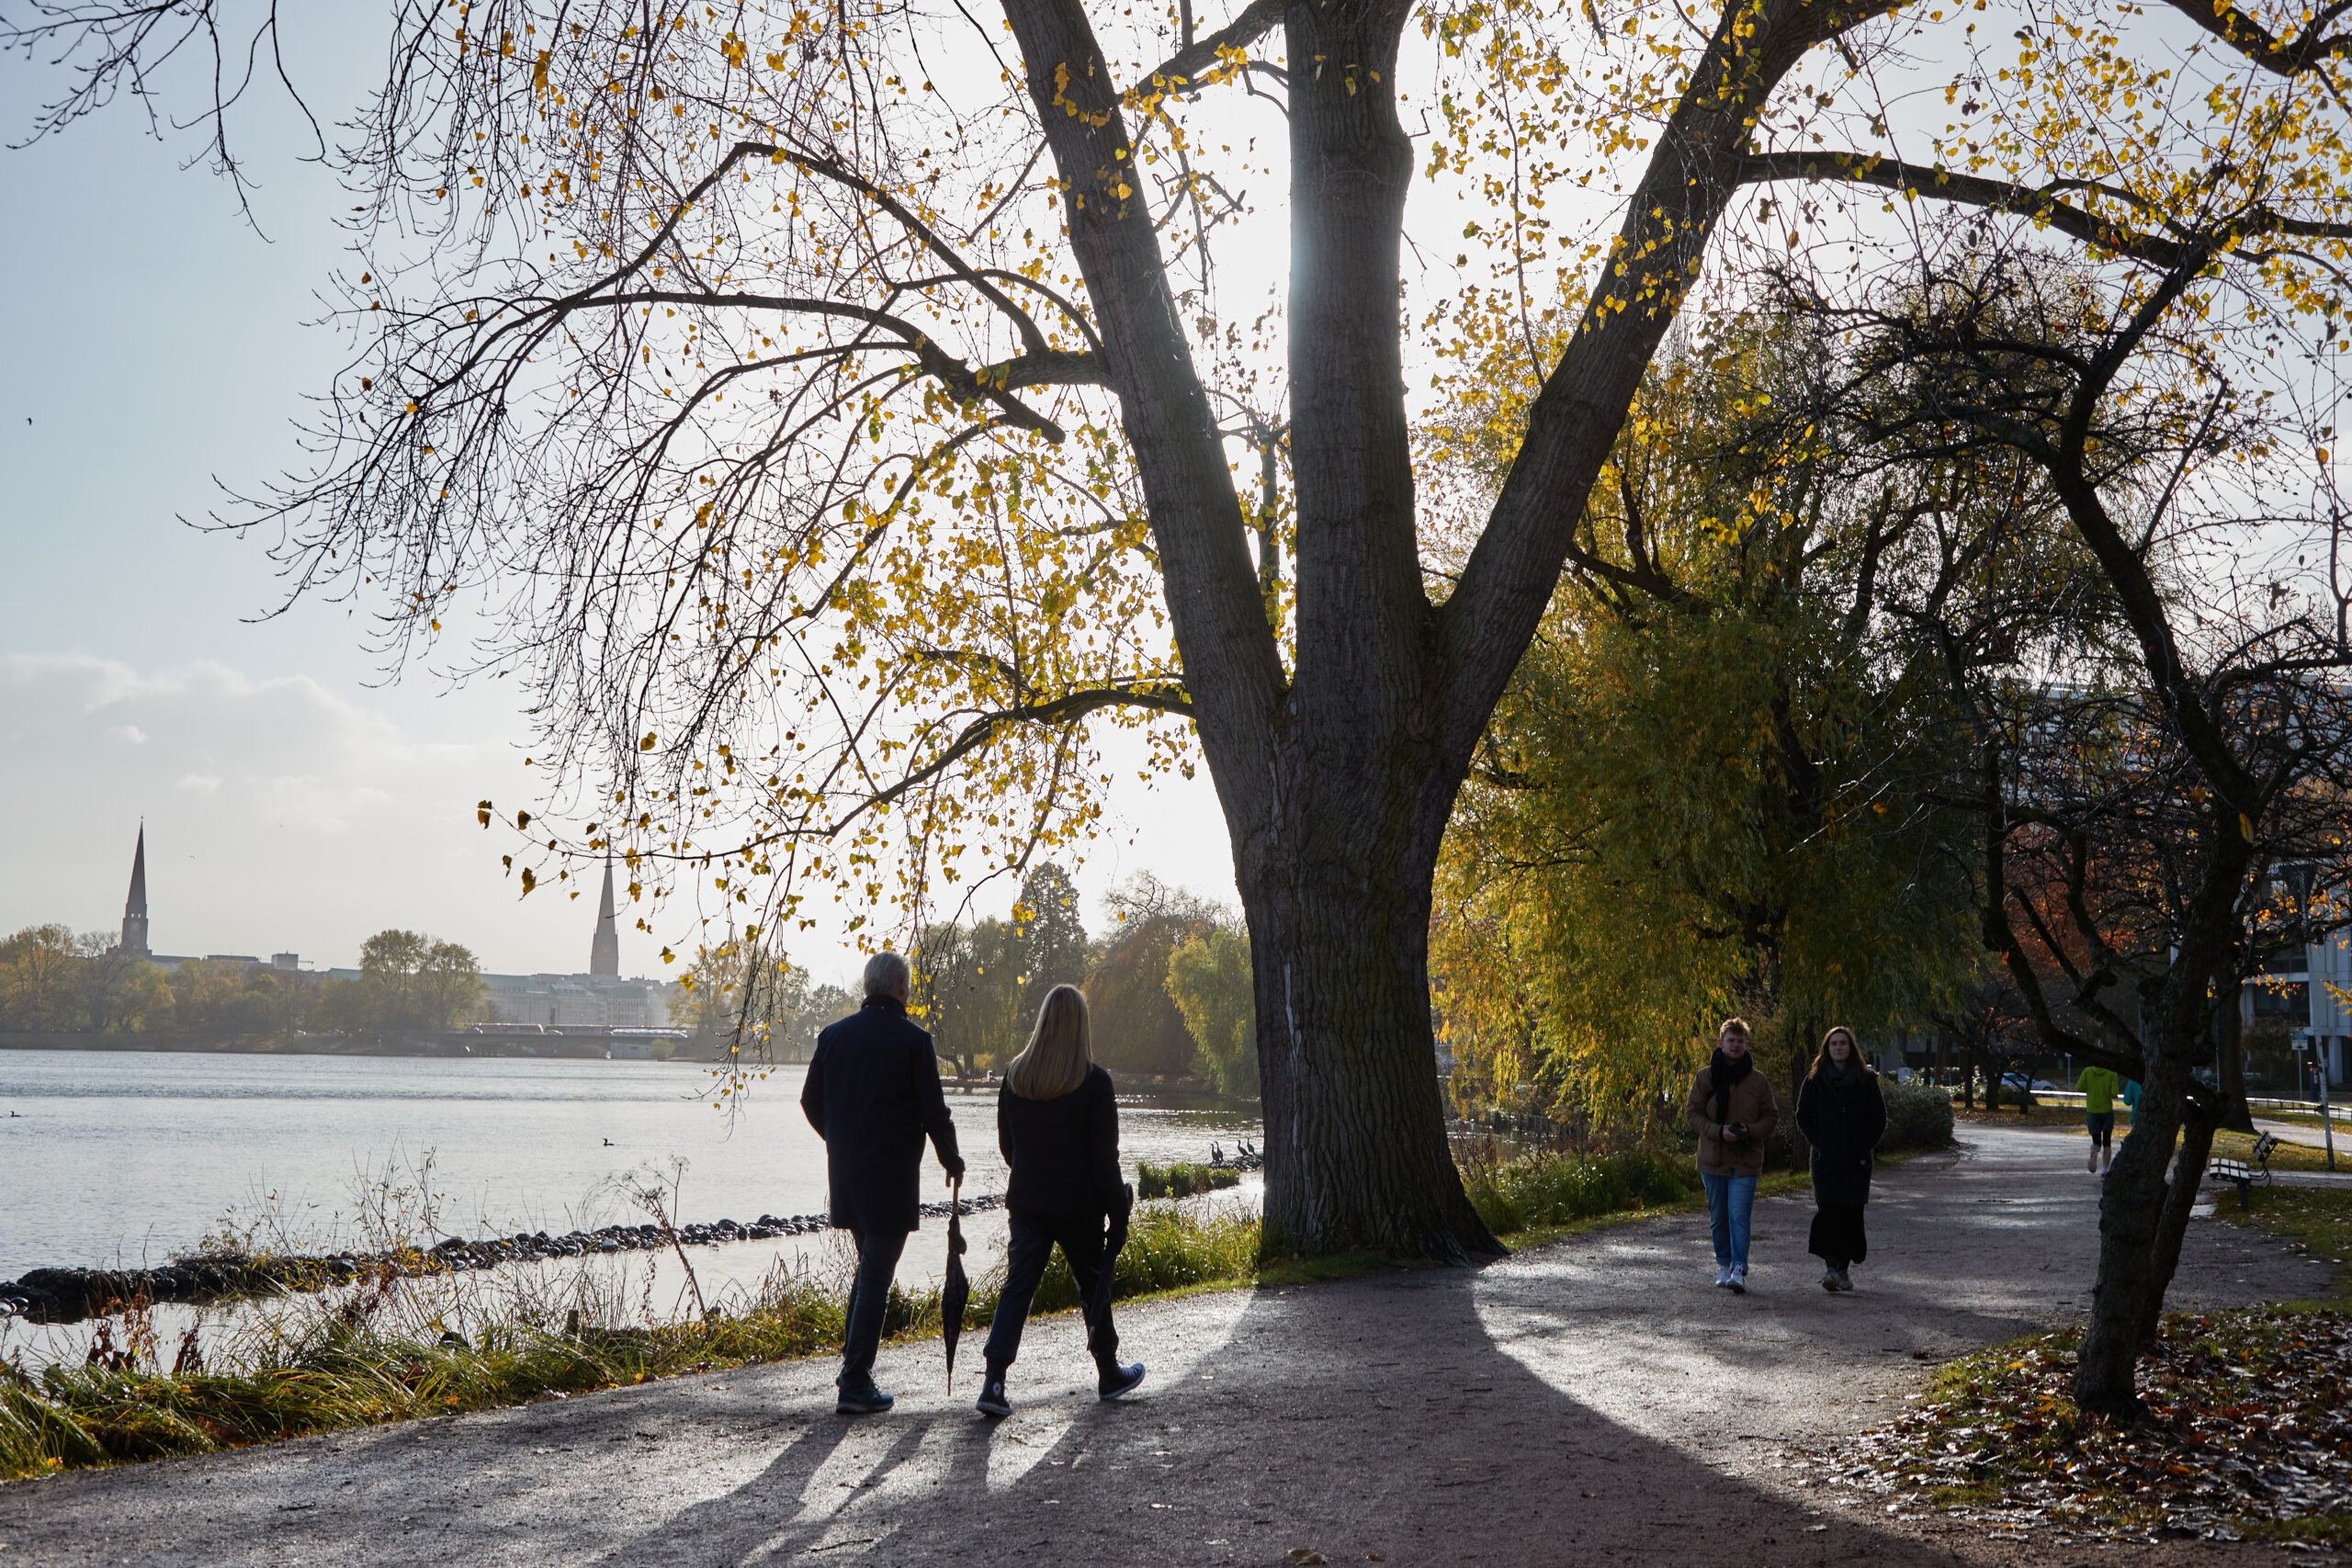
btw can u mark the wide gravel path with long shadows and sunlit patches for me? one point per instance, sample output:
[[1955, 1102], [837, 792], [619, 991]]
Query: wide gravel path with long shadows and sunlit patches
[[1584, 1402]]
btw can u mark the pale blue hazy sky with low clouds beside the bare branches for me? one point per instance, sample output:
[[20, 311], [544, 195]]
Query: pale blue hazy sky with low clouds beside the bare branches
[[156, 344]]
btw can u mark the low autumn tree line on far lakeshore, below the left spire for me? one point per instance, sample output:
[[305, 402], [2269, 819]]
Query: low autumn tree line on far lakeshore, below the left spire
[[58, 981]]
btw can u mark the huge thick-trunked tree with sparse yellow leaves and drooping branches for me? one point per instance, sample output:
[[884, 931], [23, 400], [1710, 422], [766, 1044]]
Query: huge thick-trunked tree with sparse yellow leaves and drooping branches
[[850, 415]]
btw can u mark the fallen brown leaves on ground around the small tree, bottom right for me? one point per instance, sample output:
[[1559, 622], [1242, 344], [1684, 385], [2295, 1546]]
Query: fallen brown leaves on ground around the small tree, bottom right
[[2250, 1435]]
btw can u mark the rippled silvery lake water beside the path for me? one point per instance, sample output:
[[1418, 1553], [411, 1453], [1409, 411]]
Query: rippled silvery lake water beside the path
[[123, 1158]]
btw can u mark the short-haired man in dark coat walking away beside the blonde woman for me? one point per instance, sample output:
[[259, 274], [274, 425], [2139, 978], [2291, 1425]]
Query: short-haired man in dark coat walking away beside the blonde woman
[[874, 1097]]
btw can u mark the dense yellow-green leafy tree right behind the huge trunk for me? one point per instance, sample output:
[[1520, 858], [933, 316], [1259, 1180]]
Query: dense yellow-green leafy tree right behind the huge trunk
[[1713, 782]]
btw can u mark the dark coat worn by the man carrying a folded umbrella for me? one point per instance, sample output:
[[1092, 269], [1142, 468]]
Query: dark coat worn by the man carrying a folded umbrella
[[871, 1097]]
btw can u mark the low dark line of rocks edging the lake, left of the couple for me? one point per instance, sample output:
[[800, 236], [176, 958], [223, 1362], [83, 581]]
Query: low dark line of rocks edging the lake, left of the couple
[[72, 1296]]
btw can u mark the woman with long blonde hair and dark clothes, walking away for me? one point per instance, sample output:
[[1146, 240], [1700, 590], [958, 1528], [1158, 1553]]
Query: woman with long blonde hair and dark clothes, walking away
[[1060, 1130]]
